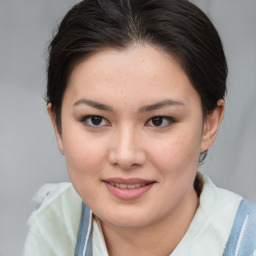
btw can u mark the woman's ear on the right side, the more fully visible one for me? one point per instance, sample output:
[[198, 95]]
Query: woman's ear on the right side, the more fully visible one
[[211, 126]]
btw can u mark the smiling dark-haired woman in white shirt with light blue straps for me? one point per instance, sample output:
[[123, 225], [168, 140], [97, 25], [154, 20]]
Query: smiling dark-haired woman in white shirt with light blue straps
[[136, 96]]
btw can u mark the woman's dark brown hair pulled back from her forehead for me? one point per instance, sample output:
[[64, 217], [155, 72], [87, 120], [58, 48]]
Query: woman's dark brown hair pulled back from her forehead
[[176, 26]]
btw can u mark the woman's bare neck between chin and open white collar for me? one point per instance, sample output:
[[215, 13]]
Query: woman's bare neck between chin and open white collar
[[159, 238]]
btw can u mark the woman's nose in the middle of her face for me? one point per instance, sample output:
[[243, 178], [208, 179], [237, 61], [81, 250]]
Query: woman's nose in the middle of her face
[[126, 149]]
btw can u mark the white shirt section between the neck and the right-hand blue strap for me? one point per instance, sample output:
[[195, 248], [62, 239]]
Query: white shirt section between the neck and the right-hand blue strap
[[211, 226]]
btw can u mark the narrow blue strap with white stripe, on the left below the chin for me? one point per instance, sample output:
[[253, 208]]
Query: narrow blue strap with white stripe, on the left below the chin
[[84, 236]]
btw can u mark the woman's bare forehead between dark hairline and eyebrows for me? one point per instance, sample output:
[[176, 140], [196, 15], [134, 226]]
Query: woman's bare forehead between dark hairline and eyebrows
[[140, 73]]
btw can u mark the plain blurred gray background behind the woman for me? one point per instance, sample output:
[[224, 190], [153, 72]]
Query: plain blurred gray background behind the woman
[[29, 156]]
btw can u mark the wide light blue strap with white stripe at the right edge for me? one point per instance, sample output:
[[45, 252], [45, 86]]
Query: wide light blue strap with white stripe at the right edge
[[242, 240]]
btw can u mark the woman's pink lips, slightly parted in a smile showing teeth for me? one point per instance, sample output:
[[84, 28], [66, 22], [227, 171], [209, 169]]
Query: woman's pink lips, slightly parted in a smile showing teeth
[[128, 189]]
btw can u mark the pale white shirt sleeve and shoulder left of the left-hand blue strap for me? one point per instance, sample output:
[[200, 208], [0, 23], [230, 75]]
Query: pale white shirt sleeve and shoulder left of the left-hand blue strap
[[55, 222]]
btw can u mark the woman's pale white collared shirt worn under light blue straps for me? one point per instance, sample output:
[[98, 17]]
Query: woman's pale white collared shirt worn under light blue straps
[[54, 225]]
